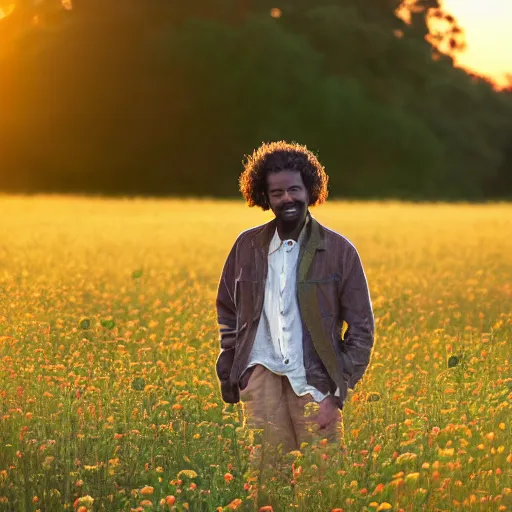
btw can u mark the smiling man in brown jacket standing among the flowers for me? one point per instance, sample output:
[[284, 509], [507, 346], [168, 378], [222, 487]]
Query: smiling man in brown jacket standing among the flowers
[[286, 289]]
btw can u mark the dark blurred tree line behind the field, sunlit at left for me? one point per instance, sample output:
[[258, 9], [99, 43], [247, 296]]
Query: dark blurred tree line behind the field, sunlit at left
[[165, 98]]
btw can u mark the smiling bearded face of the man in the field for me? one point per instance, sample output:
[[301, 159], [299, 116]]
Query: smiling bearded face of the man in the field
[[288, 197]]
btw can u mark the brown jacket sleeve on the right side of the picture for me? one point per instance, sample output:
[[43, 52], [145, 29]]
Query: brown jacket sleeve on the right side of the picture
[[356, 310]]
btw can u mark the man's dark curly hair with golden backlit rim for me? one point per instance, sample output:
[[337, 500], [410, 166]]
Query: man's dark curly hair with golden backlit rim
[[282, 156]]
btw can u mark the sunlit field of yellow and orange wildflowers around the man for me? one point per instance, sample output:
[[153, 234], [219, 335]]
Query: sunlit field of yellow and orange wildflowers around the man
[[108, 338]]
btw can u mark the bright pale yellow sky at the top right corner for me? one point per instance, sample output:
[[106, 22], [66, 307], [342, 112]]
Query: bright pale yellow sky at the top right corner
[[487, 24]]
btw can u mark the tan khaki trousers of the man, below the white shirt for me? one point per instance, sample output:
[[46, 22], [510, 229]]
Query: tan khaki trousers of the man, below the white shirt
[[271, 406]]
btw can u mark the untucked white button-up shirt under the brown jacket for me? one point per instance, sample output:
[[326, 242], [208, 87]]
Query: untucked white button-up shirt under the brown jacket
[[278, 341]]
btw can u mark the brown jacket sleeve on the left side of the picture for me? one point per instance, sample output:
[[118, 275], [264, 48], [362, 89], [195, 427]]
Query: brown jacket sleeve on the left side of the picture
[[226, 318]]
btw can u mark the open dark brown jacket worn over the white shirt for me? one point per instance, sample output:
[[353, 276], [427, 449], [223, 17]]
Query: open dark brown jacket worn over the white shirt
[[331, 288]]
